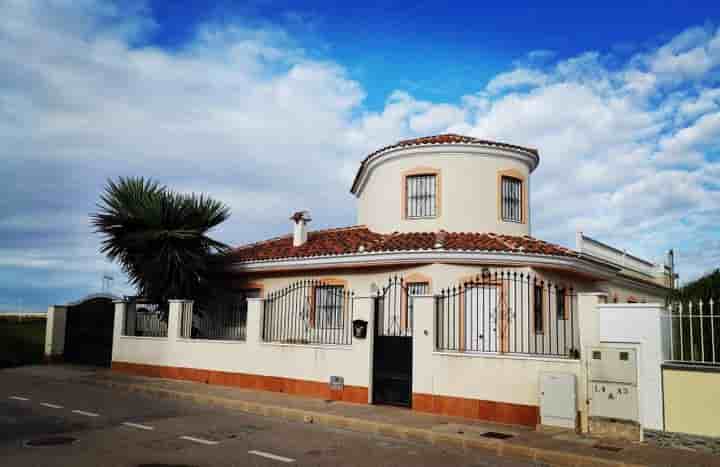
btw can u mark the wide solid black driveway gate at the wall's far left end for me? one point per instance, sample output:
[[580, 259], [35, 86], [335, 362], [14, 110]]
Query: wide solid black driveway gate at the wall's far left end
[[89, 331]]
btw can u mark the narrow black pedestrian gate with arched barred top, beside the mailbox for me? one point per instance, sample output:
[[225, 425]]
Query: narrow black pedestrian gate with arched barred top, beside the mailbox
[[392, 352]]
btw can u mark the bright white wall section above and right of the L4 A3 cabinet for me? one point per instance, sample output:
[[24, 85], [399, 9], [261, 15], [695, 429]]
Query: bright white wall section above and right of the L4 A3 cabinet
[[639, 326]]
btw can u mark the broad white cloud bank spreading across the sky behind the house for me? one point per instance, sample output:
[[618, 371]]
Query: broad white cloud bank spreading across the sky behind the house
[[247, 116]]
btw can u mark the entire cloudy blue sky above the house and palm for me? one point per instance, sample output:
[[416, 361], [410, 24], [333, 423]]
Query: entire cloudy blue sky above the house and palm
[[236, 99]]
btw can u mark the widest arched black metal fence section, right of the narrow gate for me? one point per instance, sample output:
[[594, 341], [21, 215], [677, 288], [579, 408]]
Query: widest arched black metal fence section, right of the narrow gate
[[508, 312]]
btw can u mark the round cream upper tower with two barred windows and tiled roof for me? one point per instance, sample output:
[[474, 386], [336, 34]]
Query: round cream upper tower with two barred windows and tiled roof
[[446, 182]]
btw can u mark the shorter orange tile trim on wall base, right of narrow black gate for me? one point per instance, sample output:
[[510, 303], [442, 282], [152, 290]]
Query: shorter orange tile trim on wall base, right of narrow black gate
[[500, 412]]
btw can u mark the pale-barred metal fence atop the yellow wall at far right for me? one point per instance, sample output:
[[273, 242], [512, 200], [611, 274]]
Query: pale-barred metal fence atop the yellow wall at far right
[[694, 332]]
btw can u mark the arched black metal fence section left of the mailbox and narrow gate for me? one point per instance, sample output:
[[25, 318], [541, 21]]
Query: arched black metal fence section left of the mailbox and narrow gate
[[309, 312]]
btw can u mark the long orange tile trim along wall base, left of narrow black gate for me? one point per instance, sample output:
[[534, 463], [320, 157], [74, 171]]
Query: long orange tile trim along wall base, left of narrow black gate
[[300, 387]]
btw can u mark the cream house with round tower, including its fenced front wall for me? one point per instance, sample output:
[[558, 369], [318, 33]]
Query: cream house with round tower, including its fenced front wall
[[439, 299]]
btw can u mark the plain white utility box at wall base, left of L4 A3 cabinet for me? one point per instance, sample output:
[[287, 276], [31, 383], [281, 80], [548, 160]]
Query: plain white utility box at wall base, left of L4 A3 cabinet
[[558, 404]]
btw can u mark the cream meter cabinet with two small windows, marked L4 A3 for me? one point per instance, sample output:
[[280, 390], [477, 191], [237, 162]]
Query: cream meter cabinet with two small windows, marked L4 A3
[[613, 383]]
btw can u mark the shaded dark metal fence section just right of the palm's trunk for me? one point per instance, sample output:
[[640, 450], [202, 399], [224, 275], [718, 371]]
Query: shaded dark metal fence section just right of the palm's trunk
[[224, 318]]
